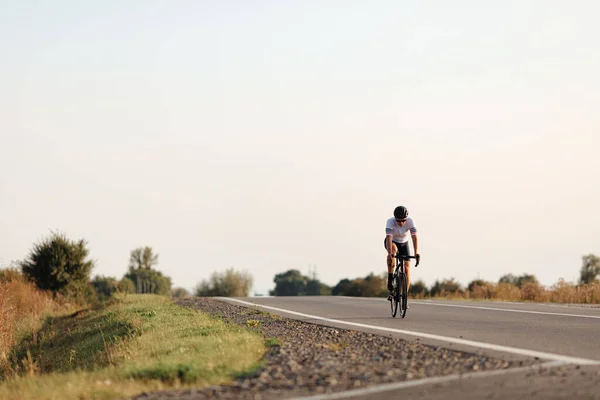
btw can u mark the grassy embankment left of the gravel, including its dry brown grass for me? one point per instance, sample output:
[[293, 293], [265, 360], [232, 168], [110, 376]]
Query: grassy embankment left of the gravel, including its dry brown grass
[[134, 344]]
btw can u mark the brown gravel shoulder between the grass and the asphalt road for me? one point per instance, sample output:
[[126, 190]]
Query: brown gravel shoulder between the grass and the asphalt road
[[306, 358]]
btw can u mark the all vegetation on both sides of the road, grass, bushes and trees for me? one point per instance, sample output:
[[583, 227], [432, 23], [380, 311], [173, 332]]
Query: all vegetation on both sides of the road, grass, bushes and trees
[[65, 334]]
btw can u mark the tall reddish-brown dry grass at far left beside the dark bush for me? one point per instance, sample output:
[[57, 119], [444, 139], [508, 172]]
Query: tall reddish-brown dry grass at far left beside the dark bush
[[22, 308]]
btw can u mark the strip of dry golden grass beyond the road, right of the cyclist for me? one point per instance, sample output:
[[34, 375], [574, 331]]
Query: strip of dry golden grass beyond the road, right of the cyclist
[[560, 292]]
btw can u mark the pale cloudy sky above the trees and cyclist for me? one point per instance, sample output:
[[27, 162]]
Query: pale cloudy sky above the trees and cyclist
[[271, 135]]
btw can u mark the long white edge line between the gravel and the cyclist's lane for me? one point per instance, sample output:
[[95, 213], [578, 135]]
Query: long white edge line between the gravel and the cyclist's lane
[[489, 346]]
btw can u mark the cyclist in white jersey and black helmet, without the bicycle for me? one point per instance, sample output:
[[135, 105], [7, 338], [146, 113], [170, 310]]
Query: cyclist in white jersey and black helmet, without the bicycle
[[396, 240]]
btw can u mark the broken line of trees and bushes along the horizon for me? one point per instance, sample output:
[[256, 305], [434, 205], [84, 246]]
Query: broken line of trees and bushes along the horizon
[[62, 266]]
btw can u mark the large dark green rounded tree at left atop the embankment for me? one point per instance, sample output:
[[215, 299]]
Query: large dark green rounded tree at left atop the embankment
[[60, 265]]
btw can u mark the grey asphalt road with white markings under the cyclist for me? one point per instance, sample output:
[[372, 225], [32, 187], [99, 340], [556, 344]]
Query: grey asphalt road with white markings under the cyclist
[[565, 337]]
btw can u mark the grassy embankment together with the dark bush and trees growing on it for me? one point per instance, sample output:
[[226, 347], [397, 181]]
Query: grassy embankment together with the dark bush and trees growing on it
[[64, 335]]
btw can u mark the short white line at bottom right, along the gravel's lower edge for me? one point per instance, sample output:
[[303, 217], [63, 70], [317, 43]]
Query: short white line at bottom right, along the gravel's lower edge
[[425, 381]]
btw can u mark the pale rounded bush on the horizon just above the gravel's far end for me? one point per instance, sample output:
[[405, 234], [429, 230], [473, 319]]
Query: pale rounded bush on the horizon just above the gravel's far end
[[230, 283]]
